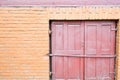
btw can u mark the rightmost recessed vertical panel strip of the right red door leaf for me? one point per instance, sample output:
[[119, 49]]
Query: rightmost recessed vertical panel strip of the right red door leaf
[[105, 49]]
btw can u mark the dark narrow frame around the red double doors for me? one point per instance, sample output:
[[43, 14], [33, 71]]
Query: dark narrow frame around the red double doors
[[50, 42]]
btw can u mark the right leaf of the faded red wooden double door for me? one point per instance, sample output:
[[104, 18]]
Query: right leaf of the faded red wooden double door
[[100, 49]]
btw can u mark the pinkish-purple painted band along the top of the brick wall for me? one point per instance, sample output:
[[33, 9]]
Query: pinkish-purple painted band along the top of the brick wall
[[58, 2]]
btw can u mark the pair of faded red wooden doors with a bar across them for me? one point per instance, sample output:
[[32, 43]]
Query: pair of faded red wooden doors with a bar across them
[[83, 50]]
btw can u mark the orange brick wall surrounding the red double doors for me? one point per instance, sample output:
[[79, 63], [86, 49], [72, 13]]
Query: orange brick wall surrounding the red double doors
[[24, 38]]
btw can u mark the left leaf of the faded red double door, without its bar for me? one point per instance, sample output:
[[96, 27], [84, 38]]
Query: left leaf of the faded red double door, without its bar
[[66, 40]]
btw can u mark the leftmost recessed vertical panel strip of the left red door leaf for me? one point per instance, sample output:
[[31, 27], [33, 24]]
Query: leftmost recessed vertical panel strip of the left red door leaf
[[59, 46]]
